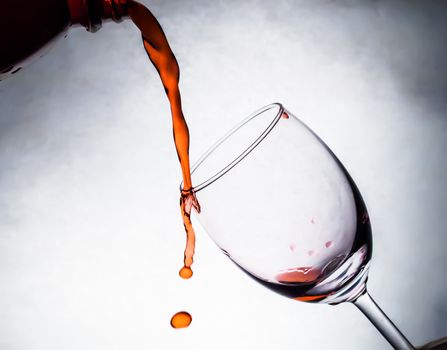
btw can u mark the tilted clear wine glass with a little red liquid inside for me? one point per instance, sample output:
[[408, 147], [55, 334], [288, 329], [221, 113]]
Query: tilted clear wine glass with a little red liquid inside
[[282, 207]]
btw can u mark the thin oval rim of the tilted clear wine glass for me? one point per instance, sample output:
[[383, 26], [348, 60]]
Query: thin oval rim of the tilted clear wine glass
[[244, 153]]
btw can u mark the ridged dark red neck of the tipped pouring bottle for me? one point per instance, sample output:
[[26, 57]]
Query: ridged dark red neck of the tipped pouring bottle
[[91, 13]]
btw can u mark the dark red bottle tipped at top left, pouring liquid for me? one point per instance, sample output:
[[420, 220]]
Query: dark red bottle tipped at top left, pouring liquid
[[28, 27]]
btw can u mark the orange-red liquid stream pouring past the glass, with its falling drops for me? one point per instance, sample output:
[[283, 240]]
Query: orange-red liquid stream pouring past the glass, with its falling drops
[[160, 54]]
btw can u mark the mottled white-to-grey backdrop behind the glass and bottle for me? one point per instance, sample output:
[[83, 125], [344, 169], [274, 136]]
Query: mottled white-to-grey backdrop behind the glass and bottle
[[90, 236]]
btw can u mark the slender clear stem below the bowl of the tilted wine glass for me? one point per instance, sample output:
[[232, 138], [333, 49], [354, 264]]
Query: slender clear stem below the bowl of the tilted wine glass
[[372, 311]]
